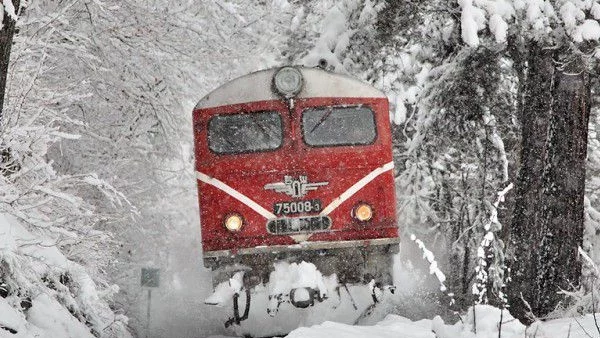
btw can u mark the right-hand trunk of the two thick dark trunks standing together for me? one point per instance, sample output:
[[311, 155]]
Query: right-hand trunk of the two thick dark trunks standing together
[[562, 216]]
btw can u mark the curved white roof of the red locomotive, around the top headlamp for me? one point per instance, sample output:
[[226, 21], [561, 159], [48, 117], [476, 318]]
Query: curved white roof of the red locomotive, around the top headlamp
[[257, 87]]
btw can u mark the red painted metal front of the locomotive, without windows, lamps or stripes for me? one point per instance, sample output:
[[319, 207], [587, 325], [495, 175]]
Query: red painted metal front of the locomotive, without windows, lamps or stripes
[[340, 166]]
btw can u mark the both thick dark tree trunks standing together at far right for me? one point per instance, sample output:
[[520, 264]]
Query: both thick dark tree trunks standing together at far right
[[547, 225]]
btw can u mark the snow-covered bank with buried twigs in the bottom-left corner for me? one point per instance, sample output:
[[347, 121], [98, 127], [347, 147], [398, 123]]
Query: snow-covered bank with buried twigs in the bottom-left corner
[[46, 295]]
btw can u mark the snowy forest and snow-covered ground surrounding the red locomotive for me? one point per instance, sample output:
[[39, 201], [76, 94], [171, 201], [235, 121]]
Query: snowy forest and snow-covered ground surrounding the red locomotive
[[497, 160]]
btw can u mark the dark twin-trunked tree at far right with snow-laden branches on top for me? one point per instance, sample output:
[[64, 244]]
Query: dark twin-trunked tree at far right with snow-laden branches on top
[[548, 42]]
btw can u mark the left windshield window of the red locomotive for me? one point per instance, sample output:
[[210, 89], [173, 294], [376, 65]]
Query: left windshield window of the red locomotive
[[244, 133]]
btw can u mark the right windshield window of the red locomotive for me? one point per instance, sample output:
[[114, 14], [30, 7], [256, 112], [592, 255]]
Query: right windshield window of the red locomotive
[[336, 126]]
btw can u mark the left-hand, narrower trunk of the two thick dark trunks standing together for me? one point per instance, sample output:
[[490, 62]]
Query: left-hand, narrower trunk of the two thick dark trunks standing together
[[535, 119]]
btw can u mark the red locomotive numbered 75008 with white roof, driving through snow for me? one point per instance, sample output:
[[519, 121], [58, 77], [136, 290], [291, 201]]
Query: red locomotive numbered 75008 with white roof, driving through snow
[[296, 164]]
